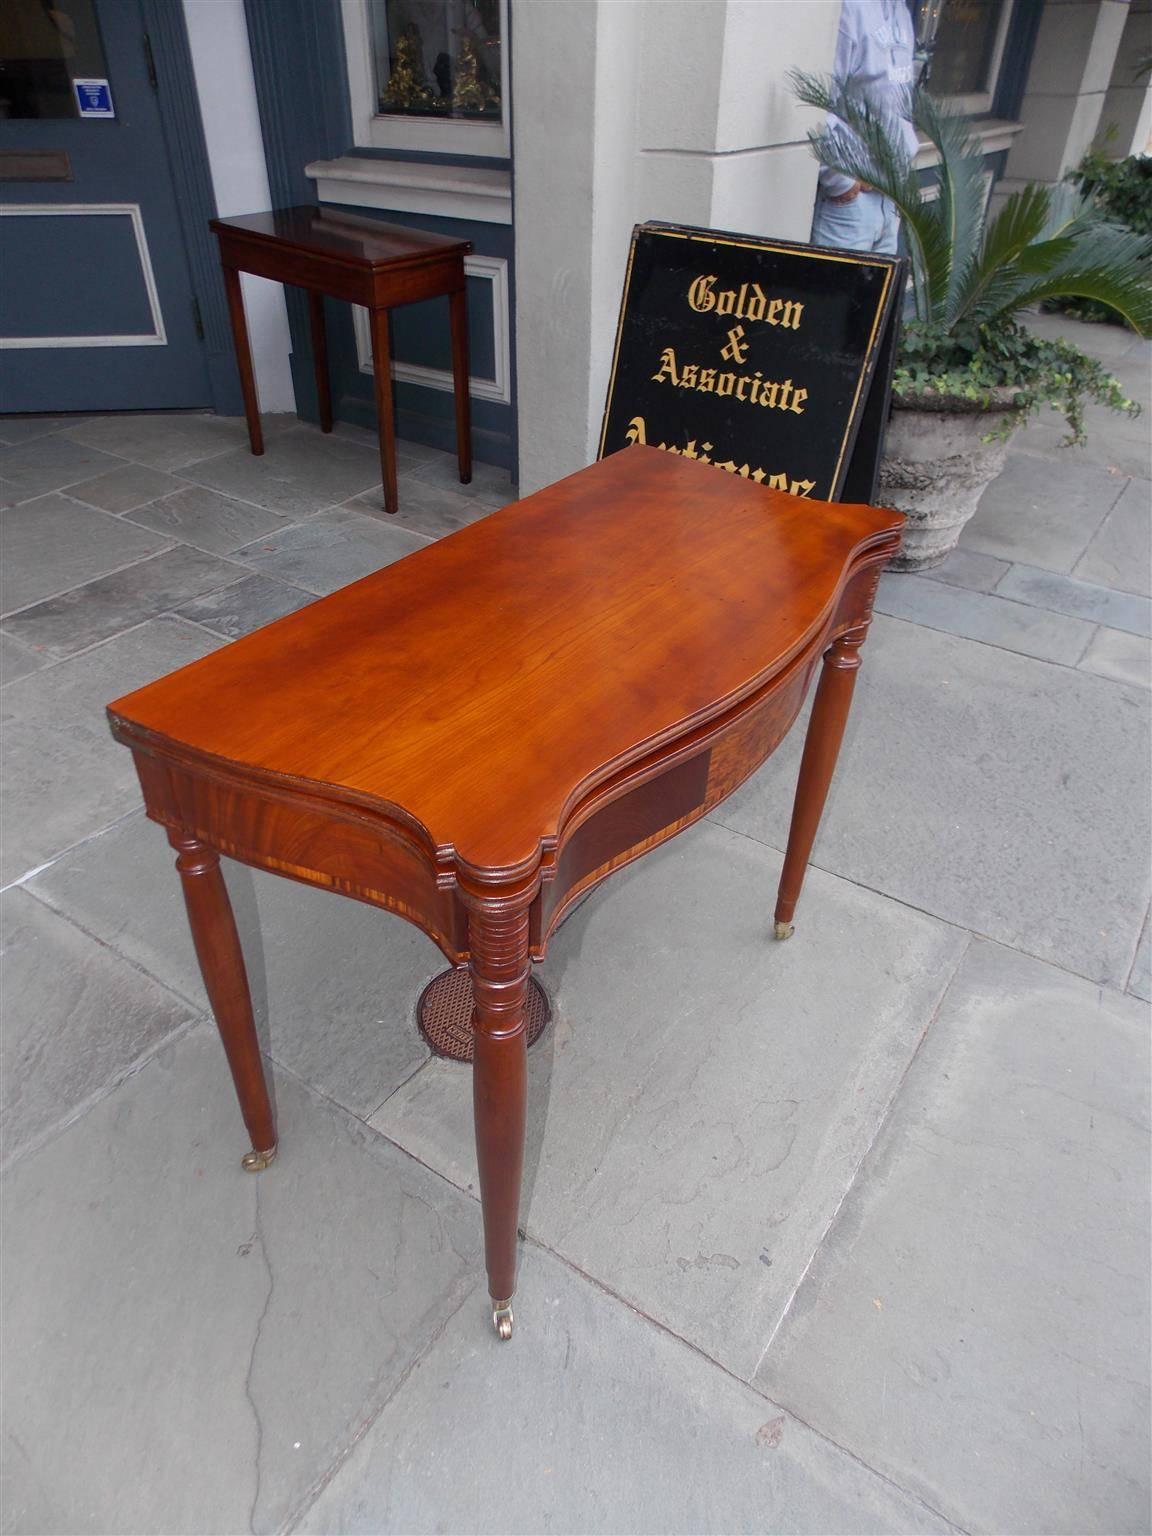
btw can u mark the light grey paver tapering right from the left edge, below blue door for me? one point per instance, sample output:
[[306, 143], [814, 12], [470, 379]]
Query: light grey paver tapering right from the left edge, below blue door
[[51, 545]]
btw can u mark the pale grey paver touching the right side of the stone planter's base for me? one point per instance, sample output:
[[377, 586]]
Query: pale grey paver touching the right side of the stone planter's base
[[1042, 512]]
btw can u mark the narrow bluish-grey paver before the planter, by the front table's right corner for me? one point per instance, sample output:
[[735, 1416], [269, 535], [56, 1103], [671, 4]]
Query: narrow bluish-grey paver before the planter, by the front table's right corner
[[984, 617]]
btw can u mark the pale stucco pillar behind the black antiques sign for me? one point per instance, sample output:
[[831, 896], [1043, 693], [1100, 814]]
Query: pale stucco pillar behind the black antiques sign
[[627, 111]]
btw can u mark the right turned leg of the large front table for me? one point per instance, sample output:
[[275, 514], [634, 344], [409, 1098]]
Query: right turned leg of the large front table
[[821, 750]]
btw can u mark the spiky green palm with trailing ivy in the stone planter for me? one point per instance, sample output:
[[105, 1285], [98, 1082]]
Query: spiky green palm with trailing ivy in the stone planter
[[973, 277]]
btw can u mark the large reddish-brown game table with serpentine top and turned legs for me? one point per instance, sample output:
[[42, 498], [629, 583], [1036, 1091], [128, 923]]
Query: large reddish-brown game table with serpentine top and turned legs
[[478, 735]]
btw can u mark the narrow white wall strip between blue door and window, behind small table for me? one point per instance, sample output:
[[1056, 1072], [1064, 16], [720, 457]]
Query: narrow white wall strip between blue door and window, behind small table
[[222, 62]]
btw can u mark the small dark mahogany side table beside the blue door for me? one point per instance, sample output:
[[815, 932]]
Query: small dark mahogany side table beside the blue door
[[368, 263]]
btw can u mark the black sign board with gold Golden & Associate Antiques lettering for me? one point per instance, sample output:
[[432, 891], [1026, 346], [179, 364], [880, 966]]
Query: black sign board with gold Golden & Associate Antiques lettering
[[767, 359]]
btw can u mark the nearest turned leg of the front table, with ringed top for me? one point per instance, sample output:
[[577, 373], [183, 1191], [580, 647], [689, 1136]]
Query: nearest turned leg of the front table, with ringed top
[[500, 1090]]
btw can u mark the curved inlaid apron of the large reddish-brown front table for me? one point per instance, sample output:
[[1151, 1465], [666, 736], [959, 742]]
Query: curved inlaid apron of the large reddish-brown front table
[[365, 855]]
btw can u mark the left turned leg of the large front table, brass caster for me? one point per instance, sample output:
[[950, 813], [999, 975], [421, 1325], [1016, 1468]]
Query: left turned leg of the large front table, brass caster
[[222, 964]]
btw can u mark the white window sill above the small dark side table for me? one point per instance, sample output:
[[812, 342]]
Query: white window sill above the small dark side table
[[405, 187]]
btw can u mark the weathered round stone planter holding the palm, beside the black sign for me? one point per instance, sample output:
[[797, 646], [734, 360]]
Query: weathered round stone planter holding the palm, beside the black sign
[[938, 466]]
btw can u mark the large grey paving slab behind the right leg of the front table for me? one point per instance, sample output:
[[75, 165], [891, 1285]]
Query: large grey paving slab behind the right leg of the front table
[[993, 790]]
